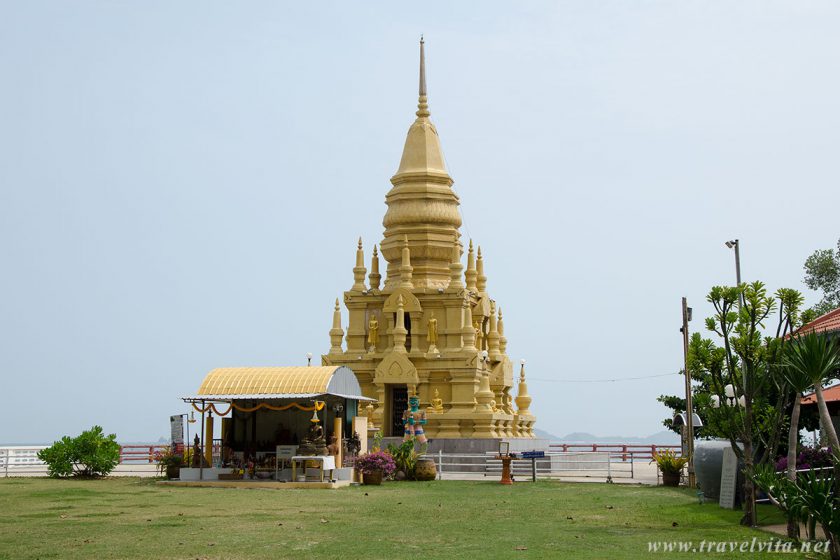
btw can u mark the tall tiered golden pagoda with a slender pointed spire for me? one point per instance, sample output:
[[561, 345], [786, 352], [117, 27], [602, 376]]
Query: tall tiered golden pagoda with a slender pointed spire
[[431, 328]]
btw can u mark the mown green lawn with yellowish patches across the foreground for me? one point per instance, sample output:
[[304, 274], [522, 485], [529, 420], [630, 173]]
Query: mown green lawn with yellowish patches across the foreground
[[136, 518]]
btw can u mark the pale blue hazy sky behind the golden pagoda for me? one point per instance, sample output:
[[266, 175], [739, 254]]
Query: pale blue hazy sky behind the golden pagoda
[[182, 185]]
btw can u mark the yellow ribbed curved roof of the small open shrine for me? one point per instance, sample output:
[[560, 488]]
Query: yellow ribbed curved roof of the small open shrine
[[280, 382]]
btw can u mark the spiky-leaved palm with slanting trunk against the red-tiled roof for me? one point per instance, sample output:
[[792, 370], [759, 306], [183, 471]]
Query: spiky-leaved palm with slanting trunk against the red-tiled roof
[[816, 358]]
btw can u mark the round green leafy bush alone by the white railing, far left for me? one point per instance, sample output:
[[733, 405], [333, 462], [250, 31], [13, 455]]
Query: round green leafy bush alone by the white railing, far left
[[90, 454]]
